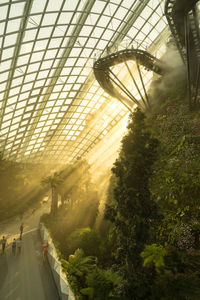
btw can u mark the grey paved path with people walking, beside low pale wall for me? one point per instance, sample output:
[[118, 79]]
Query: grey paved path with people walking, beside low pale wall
[[25, 276]]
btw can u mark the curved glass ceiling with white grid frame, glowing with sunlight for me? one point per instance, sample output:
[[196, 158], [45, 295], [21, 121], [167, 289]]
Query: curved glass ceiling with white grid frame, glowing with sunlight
[[52, 108]]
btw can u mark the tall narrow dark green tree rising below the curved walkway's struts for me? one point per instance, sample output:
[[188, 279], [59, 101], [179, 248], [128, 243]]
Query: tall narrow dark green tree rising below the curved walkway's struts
[[133, 211]]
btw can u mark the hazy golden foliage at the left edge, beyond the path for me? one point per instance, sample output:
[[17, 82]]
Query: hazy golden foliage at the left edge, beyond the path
[[19, 187]]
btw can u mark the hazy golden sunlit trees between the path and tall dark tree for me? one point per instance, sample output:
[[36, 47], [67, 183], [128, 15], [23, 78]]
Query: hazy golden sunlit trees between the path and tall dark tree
[[78, 208]]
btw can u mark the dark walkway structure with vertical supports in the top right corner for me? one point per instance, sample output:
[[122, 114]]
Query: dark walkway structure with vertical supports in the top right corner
[[183, 22]]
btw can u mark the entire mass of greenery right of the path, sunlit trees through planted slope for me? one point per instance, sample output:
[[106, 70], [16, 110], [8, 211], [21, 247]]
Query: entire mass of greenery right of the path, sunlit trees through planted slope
[[148, 246]]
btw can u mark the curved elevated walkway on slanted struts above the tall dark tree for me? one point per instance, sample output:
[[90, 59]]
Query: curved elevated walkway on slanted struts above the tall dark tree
[[108, 80]]
